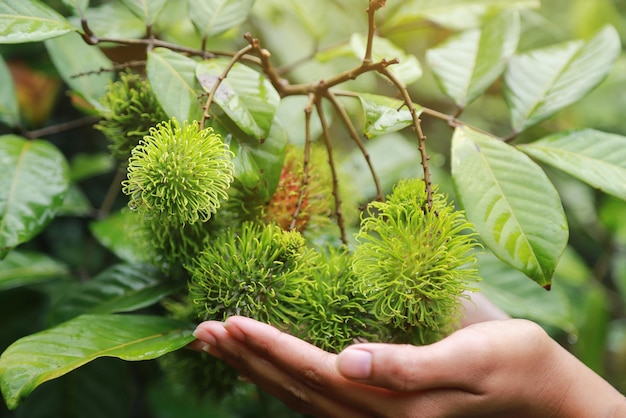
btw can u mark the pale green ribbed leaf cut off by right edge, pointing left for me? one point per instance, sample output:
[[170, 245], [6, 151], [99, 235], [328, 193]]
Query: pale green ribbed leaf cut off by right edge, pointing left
[[594, 157]]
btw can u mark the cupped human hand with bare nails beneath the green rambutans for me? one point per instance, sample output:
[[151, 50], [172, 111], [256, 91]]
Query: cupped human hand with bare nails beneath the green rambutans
[[508, 368]]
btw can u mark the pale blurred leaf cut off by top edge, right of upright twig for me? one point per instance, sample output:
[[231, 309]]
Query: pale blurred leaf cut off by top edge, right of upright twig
[[453, 14]]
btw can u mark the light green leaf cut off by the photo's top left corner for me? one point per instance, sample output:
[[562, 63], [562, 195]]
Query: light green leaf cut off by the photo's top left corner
[[30, 21]]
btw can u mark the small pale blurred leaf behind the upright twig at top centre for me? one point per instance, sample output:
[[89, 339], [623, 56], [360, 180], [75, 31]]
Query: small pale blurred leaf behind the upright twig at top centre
[[408, 70]]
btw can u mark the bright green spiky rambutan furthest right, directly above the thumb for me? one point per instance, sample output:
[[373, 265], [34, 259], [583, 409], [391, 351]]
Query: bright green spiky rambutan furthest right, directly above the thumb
[[414, 263]]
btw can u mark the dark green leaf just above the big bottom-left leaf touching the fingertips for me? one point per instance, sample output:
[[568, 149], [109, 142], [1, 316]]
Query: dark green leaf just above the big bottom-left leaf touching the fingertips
[[121, 288]]
